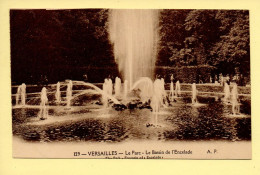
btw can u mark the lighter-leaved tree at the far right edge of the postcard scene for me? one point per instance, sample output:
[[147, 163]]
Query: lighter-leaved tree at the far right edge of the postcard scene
[[231, 54]]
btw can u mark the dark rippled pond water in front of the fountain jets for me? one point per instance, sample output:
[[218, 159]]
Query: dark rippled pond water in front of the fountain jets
[[181, 121]]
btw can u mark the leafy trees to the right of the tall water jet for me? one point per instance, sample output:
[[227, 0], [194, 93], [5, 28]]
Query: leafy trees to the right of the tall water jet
[[218, 38]]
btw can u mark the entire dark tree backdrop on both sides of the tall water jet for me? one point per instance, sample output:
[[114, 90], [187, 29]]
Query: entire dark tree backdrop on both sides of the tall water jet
[[63, 44]]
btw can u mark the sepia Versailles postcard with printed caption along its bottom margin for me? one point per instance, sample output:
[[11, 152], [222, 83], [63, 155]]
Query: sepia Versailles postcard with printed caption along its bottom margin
[[130, 83]]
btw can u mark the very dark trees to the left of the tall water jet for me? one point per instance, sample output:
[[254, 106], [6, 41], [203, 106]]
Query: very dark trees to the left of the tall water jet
[[58, 44]]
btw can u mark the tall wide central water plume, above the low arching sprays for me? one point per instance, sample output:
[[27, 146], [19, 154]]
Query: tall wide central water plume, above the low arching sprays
[[134, 35]]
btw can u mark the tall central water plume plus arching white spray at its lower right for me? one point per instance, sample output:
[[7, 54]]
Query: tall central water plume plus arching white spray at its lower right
[[134, 35]]
